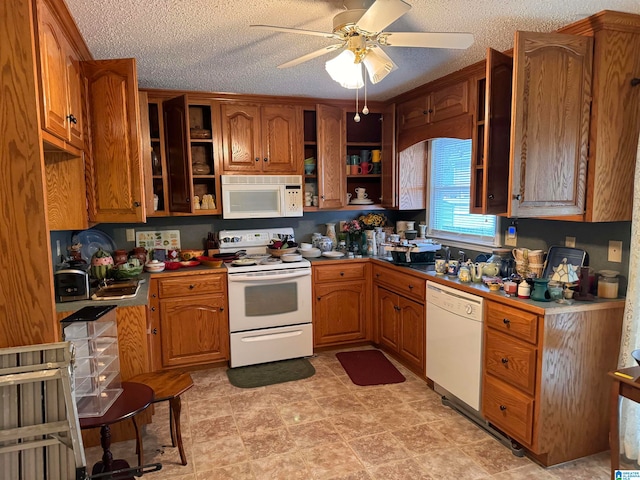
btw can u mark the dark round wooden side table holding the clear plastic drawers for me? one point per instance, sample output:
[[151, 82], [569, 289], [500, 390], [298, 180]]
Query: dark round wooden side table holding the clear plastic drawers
[[135, 398]]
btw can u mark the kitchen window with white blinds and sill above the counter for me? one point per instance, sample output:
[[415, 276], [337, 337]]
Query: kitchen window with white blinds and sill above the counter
[[448, 196]]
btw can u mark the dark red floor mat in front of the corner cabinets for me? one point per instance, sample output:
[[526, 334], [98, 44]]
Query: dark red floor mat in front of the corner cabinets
[[369, 367]]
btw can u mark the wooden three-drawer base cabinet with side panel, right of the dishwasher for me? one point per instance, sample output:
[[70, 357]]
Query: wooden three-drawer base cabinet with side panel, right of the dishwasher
[[544, 373]]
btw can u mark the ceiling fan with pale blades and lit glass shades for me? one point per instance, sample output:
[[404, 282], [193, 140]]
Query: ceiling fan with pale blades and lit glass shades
[[359, 32]]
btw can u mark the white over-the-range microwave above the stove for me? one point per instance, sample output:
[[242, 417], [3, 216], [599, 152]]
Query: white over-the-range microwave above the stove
[[261, 196]]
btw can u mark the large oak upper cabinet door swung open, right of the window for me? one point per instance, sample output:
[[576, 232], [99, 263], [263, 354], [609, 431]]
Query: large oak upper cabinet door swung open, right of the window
[[550, 124]]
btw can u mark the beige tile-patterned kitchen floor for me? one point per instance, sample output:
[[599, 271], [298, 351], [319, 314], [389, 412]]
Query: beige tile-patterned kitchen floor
[[325, 427]]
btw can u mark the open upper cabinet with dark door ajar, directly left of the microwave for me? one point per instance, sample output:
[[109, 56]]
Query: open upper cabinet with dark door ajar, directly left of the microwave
[[192, 150]]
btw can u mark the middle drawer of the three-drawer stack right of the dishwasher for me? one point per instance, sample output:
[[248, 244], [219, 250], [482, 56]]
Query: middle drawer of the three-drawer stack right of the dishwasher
[[511, 361]]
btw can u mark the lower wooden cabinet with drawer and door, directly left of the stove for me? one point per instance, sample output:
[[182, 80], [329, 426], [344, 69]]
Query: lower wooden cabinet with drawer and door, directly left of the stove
[[189, 320]]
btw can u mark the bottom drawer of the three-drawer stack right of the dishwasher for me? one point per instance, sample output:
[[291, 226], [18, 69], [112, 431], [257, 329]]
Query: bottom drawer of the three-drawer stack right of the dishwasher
[[508, 409]]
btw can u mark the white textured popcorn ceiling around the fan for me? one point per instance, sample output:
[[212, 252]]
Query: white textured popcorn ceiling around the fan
[[207, 44]]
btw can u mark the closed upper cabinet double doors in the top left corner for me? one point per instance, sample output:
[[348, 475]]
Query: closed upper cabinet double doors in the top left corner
[[60, 79]]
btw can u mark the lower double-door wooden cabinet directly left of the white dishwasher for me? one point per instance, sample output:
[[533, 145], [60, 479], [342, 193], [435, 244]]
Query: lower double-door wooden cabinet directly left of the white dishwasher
[[400, 316]]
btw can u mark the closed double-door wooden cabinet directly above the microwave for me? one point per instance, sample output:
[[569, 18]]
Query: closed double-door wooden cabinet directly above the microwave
[[262, 138]]
